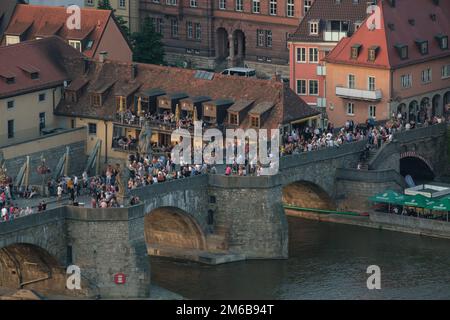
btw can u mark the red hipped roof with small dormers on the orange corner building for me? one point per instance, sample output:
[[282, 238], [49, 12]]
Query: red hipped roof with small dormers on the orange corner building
[[396, 29]]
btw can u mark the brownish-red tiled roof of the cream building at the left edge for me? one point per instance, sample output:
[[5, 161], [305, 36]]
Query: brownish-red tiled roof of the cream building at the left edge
[[46, 56]]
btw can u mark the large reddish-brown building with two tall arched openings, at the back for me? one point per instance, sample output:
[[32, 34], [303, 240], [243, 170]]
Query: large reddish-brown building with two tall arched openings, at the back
[[220, 33]]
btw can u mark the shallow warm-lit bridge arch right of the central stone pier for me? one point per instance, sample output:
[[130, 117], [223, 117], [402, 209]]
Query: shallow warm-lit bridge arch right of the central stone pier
[[305, 194]]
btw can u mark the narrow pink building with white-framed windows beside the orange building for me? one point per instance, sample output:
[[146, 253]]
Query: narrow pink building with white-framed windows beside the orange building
[[324, 25]]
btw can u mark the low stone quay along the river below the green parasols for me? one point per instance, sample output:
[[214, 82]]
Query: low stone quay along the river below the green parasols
[[382, 221]]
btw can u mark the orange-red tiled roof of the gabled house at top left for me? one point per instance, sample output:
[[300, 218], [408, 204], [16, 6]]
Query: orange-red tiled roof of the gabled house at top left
[[45, 21]]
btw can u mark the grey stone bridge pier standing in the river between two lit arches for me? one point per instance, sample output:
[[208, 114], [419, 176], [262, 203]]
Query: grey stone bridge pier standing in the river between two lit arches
[[253, 215]]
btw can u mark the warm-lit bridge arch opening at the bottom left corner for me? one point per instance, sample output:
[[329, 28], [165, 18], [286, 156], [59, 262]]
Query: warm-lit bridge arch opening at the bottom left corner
[[27, 266]]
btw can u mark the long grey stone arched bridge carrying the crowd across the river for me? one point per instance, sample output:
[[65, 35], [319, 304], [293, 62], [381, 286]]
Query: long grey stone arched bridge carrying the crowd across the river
[[208, 218]]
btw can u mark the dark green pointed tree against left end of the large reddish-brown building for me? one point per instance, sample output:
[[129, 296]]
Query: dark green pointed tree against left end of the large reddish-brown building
[[147, 44]]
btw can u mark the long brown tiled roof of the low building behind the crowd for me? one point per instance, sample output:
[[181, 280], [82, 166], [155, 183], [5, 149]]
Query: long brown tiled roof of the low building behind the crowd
[[287, 105]]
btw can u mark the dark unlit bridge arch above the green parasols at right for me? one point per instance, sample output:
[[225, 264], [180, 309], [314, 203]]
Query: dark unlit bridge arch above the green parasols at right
[[417, 167]]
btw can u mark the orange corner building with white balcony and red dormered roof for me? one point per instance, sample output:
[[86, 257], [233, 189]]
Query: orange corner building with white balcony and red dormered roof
[[398, 61]]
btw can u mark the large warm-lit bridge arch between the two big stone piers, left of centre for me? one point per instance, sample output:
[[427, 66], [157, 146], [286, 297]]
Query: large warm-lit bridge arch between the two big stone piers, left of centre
[[172, 228]]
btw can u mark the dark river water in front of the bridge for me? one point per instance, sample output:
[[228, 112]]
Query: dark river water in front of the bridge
[[326, 261]]
